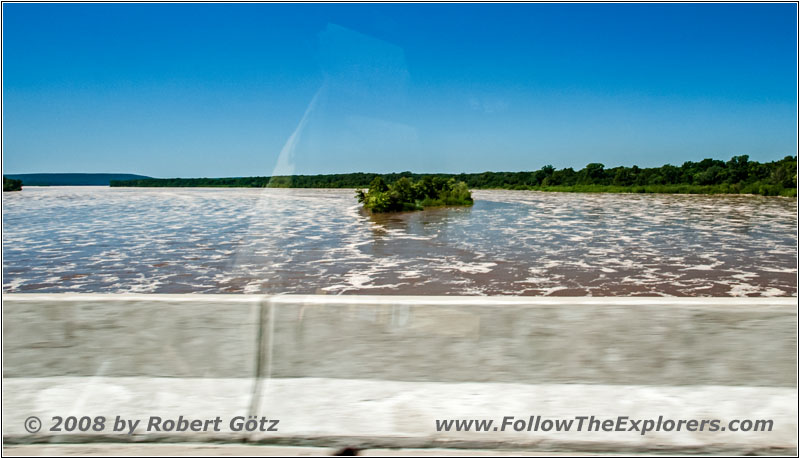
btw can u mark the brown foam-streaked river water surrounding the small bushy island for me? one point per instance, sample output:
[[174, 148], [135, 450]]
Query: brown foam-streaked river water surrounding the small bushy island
[[179, 240]]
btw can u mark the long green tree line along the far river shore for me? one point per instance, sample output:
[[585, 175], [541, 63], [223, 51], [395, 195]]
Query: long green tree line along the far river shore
[[739, 175]]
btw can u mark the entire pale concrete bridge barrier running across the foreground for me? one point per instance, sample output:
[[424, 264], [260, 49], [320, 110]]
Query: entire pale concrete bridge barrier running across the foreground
[[379, 371]]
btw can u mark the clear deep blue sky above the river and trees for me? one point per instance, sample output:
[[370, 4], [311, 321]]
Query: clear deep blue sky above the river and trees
[[171, 90]]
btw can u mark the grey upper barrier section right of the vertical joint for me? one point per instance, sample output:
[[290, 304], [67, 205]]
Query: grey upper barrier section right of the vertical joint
[[659, 341]]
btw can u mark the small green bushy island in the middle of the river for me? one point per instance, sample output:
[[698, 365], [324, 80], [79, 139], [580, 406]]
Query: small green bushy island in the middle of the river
[[407, 195]]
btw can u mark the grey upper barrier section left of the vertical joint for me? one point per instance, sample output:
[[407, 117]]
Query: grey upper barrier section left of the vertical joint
[[213, 336]]
